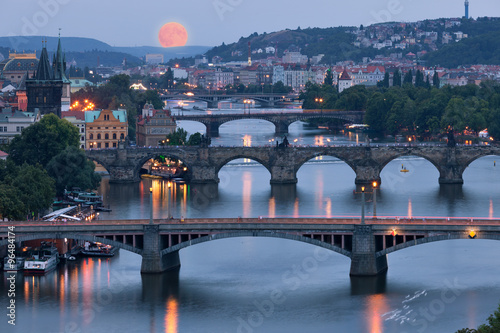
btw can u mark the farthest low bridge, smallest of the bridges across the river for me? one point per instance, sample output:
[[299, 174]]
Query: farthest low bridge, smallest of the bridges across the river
[[213, 100]]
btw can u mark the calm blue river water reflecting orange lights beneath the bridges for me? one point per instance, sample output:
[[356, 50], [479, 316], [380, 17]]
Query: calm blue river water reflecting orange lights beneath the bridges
[[276, 285]]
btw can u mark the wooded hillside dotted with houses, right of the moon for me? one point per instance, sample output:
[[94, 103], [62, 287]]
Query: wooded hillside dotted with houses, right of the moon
[[338, 44]]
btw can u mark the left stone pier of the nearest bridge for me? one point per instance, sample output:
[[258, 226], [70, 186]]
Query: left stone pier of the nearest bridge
[[152, 260]]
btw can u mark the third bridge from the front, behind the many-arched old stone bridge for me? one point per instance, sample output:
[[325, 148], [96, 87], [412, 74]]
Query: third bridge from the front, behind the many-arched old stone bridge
[[280, 120]]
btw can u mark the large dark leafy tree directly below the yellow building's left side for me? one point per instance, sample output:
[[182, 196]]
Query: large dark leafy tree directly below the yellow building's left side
[[39, 142]]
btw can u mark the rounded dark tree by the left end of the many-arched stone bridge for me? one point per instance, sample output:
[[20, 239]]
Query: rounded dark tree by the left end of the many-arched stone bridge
[[71, 168]]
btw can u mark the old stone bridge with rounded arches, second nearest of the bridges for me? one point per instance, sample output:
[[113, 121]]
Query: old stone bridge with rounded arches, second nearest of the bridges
[[204, 163]]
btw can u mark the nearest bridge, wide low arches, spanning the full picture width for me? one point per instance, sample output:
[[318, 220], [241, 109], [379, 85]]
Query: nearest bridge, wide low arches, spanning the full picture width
[[159, 241]]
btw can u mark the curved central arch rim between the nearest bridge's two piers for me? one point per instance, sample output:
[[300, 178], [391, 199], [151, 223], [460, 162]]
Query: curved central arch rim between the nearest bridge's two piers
[[257, 234]]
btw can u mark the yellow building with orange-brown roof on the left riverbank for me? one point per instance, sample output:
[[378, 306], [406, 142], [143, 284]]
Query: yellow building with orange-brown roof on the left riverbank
[[104, 128]]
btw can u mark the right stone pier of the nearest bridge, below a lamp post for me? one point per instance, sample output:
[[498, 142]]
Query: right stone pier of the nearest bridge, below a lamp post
[[364, 261]]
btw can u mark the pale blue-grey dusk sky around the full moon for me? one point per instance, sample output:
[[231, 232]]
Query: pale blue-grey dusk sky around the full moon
[[211, 22]]
